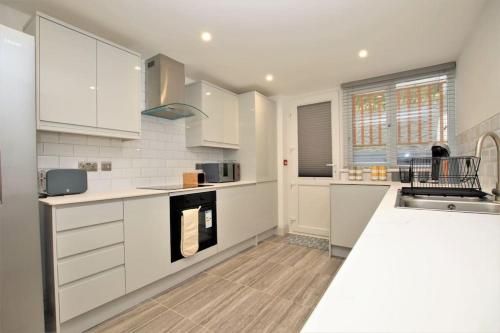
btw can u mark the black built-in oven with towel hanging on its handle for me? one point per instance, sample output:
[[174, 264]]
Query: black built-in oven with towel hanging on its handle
[[207, 220]]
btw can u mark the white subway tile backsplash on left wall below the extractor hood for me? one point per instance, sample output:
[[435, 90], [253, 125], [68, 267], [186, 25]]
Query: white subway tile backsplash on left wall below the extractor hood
[[159, 157]]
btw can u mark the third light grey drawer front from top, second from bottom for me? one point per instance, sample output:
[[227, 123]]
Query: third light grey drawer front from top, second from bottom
[[87, 264]]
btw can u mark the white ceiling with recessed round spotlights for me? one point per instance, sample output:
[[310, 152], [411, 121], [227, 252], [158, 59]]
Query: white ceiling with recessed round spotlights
[[307, 44]]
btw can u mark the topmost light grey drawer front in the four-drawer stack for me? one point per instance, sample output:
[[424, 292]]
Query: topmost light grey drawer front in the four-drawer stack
[[88, 214]]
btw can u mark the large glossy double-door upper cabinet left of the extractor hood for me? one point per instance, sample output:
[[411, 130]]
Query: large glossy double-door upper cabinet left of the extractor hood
[[86, 85]]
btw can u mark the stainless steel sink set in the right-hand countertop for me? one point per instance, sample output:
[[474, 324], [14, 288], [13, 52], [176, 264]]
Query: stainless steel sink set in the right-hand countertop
[[466, 205]]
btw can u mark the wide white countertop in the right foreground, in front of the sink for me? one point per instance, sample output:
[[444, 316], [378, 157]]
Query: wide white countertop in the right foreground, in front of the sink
[[416, 271]]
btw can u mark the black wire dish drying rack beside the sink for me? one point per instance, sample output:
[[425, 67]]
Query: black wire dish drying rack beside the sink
[[442, 176]]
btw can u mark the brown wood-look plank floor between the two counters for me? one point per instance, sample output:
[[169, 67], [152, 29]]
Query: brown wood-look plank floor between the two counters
[[272, 287]]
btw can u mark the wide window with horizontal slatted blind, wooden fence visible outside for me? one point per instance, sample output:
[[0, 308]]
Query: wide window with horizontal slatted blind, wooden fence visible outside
[[388, 120]]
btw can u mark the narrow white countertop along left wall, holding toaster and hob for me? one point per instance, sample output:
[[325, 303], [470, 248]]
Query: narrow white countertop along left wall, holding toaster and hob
[[129, 193]]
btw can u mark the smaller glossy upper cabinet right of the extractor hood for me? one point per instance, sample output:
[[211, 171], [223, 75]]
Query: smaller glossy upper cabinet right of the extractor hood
[[221, 128]]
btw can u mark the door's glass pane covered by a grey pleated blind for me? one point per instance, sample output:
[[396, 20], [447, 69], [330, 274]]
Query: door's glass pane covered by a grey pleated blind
[[314, 127]]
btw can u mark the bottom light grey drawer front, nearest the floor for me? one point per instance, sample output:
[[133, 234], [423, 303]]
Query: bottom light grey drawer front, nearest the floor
[[87, 294]]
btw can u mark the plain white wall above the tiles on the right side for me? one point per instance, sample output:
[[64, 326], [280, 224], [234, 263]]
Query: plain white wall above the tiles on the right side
[[478, 71]]
